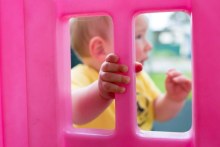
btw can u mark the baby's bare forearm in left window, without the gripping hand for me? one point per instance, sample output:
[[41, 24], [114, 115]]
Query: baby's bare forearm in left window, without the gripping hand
[[87, 104]]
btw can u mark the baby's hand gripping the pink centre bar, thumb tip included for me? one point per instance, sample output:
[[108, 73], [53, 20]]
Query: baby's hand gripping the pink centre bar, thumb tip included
[[111, 77]]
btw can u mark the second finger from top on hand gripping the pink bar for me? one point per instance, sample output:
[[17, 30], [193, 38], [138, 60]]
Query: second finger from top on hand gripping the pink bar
[[113, 67]]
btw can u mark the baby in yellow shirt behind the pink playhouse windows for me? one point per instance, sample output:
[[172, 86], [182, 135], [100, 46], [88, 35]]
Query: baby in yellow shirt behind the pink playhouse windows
[[95, 82]]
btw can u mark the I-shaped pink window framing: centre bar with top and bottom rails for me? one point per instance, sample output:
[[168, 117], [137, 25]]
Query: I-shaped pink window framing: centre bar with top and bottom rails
[[125, 134]]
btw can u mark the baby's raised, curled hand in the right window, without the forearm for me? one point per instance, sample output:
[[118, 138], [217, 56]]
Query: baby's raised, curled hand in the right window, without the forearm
[[177, 85]]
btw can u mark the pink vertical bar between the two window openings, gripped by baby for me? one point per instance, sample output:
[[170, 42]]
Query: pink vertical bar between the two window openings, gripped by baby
[[125, 104]]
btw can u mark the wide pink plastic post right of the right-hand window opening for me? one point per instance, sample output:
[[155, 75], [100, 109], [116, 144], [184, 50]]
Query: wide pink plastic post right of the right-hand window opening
[[206, 55]]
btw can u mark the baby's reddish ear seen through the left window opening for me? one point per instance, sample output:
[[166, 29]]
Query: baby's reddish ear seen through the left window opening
[[97, 48]]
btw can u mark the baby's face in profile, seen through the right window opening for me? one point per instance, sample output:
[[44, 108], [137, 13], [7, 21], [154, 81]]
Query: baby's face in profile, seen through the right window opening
[[142, 46]]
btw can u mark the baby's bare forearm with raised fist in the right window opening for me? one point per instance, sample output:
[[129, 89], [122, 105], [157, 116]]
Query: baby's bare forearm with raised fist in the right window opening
[[168, 105]]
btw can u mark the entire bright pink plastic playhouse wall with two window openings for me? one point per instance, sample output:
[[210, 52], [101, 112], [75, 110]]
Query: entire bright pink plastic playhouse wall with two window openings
[[35, 74]]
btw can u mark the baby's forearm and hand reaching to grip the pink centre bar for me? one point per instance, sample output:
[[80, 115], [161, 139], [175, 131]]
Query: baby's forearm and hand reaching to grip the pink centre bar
[[92, 100]]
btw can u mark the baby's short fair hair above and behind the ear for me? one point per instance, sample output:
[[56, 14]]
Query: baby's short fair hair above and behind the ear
[[83, 29]]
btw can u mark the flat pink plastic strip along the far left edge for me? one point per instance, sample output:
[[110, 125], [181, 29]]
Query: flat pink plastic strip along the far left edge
[[13, 74]]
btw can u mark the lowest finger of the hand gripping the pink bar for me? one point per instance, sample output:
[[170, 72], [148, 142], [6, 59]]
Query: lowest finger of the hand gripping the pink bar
[[111, 88]]
